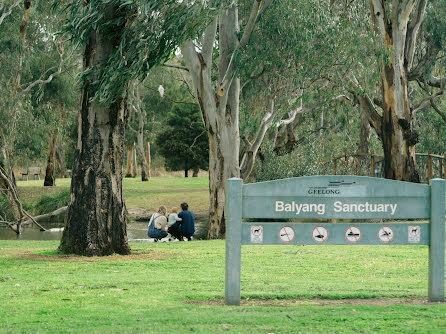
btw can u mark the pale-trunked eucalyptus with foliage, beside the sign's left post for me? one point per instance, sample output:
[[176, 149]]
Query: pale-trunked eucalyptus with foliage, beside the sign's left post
[[283, 51]]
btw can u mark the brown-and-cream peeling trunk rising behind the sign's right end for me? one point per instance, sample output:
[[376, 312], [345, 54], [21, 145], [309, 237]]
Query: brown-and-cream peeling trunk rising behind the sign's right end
[[396, 129]]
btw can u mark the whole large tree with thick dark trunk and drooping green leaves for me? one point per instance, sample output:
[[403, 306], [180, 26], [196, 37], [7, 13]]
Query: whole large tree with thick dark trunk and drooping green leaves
[[122, 40]]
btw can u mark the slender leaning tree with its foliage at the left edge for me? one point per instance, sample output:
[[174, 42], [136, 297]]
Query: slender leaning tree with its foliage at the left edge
[[27, 40]]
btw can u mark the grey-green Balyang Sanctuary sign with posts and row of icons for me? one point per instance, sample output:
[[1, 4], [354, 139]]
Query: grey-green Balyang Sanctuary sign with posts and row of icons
[[334, 197]]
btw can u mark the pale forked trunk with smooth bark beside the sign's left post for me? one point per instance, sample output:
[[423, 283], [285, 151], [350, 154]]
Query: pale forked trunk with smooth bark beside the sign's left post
[[220, 110]]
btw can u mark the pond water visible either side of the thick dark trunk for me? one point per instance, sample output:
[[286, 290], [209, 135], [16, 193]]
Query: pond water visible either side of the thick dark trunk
[[136, 231]]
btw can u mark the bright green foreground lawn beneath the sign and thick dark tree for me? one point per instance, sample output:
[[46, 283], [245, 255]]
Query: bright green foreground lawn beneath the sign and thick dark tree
[[179, 287]]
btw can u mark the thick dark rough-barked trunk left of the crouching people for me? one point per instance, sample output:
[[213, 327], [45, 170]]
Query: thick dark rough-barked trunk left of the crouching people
[[96, 221]]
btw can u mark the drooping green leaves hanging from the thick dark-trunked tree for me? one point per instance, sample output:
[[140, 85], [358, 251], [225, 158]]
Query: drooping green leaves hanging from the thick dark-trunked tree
[[153, 30]]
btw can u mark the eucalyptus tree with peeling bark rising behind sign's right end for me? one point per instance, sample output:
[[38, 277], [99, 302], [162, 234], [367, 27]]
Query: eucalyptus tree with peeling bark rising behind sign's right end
[[408, 53]]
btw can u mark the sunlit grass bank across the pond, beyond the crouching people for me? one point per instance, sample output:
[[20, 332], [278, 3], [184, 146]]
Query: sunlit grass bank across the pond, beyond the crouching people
[[169, 191]]
